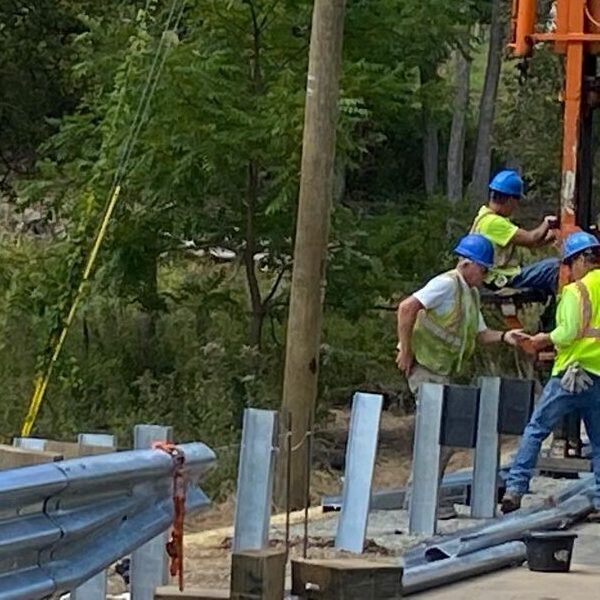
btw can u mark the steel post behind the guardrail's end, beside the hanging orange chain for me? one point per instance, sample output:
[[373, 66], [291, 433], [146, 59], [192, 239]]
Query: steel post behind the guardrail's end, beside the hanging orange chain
[[149, 563]]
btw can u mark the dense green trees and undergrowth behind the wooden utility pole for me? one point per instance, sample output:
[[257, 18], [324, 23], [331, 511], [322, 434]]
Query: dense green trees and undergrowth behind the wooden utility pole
[[167, 335]]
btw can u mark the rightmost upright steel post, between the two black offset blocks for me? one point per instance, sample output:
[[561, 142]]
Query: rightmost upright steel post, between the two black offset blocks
[[487, 451]]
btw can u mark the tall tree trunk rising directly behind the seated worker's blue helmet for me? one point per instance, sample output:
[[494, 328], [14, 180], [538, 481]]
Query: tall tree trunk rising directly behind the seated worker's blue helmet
[[487, 106]]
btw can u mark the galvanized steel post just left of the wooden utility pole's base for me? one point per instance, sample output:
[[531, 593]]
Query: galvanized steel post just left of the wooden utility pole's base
[[254, 492]]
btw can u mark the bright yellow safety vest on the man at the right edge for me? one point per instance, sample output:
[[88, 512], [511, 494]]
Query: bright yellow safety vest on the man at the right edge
[[585, 349]]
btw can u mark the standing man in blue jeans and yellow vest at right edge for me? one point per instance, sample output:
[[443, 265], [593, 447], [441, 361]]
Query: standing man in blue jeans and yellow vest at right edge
[[575, 381]]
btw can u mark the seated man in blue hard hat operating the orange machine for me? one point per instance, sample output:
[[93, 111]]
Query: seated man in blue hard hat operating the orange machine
[[493, 221]]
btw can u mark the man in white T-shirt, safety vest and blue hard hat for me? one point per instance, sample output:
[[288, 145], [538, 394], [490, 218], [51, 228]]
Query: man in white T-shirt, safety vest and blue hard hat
[[440, 324]]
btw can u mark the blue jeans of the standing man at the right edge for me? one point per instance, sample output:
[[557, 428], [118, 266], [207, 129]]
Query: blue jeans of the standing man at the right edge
[[554, 404]]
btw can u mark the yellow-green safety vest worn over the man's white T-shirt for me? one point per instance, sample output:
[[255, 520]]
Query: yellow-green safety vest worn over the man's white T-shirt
[[442, 343]]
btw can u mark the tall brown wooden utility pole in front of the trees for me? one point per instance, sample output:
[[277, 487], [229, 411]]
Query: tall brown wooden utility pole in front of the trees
[[312, 232]]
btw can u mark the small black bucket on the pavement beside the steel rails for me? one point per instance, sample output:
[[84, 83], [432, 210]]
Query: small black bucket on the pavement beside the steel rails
[[550, 551]]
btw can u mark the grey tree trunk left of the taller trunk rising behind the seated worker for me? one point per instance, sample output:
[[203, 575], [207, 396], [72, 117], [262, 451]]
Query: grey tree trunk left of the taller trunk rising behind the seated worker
[[456, 145]]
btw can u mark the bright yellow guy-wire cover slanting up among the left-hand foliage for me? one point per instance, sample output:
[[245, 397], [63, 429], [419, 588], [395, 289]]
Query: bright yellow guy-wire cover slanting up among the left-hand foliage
[[41, 383]]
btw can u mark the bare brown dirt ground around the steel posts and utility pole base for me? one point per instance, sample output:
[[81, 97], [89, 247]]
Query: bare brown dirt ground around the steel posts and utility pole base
[[208, 535]]
